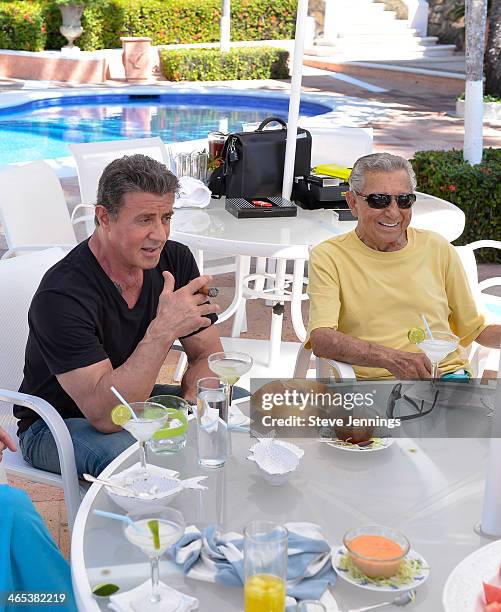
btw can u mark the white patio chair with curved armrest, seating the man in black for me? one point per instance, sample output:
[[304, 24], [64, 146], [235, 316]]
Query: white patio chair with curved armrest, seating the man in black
[[19, 279]]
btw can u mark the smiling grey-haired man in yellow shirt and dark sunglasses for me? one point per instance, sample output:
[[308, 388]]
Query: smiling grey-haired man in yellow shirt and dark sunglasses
[[367, 288]]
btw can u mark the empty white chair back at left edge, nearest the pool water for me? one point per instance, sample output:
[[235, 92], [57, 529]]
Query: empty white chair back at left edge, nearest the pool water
[[33, 209]]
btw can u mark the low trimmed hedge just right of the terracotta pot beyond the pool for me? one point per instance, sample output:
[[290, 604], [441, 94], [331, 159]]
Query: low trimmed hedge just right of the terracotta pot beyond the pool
[[212, 65]]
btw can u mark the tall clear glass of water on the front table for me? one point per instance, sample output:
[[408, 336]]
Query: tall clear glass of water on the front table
[[212, 422]]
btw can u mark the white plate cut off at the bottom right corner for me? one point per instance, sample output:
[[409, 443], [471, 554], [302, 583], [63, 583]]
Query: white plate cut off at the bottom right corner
[[463, 590]]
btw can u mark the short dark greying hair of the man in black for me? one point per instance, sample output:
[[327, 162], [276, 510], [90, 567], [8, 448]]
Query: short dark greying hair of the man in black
[[133, 173]]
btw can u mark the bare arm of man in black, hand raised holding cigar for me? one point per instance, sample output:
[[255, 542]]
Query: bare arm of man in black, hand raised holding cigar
[[179, 313]]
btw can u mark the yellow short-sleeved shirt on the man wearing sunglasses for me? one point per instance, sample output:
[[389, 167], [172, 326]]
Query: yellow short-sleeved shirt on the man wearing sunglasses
[[378, 296]]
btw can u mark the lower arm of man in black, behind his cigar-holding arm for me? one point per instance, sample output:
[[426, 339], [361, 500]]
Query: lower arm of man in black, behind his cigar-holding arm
[[198, 347]]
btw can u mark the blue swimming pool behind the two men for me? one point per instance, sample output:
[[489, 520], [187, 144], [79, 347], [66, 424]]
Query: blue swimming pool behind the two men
[[41, 129]]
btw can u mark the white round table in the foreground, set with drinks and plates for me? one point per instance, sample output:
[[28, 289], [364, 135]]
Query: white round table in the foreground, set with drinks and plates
[[431, 489]]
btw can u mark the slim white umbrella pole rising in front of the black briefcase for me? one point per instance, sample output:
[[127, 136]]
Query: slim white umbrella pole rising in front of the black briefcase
[[297, 73]]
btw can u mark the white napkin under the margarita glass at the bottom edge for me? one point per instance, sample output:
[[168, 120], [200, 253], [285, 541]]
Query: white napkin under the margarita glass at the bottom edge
[[137, 600]]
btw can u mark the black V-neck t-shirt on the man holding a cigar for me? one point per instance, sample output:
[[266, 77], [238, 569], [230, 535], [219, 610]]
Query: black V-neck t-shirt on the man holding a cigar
[[77, 317]]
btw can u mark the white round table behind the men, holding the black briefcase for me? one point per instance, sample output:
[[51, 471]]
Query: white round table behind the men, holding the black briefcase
[[286, 238]]
